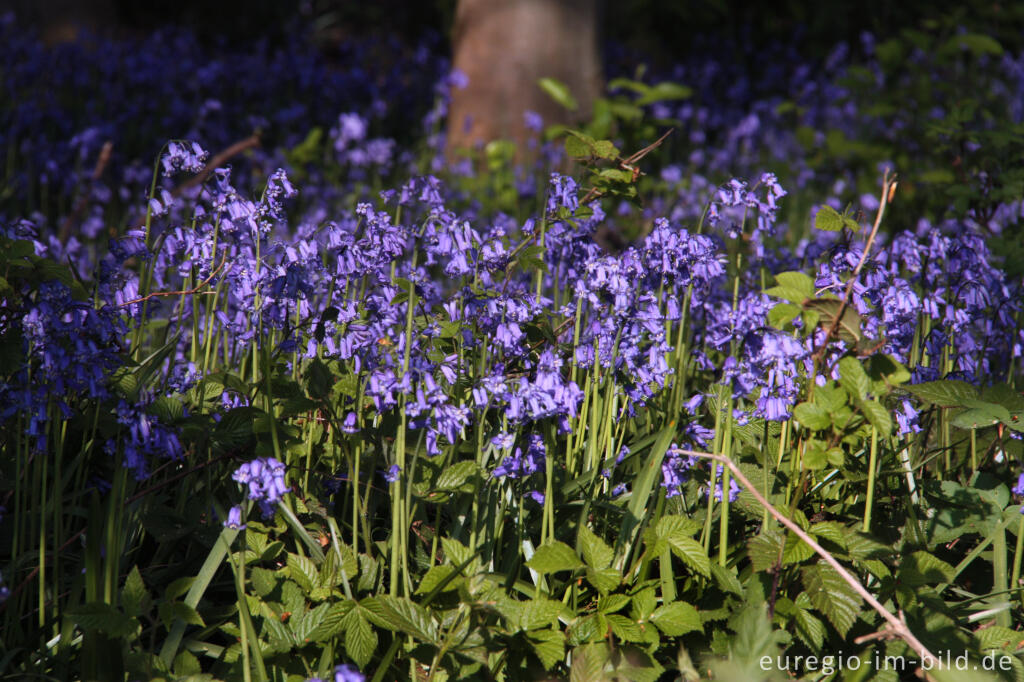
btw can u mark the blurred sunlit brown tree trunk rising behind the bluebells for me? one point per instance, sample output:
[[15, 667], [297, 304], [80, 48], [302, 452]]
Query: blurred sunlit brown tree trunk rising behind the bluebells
[[505, 48]]
